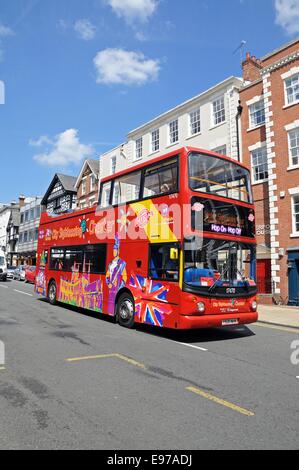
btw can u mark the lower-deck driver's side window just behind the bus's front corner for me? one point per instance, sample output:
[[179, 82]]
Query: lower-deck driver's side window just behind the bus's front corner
[[161, 264]]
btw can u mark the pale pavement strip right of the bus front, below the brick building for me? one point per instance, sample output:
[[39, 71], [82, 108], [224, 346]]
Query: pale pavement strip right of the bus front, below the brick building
[[281, 316]]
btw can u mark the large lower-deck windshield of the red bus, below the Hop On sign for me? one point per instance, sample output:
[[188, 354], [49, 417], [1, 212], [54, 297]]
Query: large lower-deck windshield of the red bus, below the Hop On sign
[[219, 266]]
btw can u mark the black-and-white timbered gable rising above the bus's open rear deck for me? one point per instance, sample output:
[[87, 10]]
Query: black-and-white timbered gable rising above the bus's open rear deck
[[61, 195]]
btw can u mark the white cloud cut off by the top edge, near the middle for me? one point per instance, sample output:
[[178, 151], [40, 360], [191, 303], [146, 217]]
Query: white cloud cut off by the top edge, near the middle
[[134, 10]]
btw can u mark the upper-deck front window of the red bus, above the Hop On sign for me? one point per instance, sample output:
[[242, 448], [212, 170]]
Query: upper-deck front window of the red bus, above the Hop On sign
[[213, 175]]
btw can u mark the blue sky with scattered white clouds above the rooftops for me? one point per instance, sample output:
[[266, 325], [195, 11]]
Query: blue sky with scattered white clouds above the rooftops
[[79, 75]]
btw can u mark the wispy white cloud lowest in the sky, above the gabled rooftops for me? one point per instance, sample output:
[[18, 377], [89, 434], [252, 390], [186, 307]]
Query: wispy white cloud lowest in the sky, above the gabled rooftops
[[66, 149]]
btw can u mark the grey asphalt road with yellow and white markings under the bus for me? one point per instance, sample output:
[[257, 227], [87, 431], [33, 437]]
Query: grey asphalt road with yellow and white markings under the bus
[[140, 389]]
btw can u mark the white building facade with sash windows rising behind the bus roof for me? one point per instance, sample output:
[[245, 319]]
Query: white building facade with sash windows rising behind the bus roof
[[206, 121]]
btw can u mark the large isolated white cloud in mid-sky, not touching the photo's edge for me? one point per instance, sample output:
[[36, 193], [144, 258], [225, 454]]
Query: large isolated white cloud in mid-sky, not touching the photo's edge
[[117, 66]]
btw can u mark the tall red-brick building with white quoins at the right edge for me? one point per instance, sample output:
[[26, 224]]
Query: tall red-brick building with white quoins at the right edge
[[270, 141]]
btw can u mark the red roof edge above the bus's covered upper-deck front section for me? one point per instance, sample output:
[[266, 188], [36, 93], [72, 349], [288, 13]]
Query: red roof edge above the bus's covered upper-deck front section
[[182, 150]]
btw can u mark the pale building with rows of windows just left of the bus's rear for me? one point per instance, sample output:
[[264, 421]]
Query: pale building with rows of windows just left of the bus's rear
[[28, 231]]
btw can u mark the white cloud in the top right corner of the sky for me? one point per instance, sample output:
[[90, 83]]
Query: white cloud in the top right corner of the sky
[[287, 15]]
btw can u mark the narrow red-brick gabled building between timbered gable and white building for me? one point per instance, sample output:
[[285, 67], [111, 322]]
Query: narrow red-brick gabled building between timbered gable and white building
[[87, 184]]
